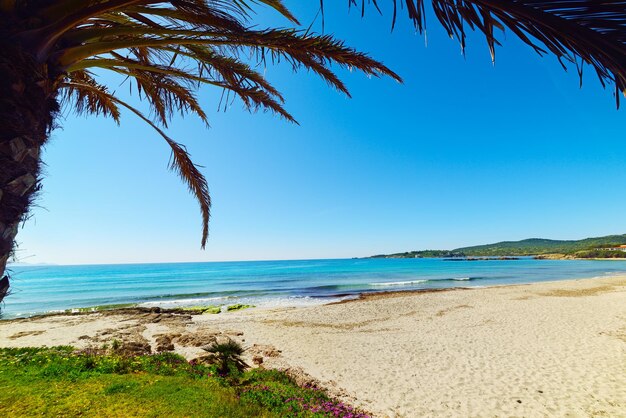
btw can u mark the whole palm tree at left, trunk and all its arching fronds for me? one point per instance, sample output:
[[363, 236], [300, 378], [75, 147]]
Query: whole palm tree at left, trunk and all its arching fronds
[[53, 51]]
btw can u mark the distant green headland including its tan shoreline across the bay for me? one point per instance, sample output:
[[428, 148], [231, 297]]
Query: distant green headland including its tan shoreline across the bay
[[589, 248]]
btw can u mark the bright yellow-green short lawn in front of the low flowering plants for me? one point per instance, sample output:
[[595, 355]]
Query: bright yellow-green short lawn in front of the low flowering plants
[[121, 396]]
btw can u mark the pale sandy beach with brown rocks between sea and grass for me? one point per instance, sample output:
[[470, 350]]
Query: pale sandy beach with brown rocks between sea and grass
[[544, 349]]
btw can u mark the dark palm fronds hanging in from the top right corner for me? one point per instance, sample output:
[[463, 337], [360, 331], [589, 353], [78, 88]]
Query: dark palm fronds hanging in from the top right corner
[[582, 32]]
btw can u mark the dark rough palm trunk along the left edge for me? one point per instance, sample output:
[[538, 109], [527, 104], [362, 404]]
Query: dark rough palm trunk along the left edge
[[27, 108]]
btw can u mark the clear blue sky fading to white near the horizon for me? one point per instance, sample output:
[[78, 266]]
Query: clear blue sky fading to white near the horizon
[[463, 153]]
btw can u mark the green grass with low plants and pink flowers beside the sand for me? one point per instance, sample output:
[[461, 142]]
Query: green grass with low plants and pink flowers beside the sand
[[60, 382]]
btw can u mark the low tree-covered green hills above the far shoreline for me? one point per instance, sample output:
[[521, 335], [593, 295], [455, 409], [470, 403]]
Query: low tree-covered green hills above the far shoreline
[[531, 246]]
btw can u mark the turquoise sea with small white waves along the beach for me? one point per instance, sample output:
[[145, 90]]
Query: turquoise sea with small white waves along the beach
[[40, 289]]
